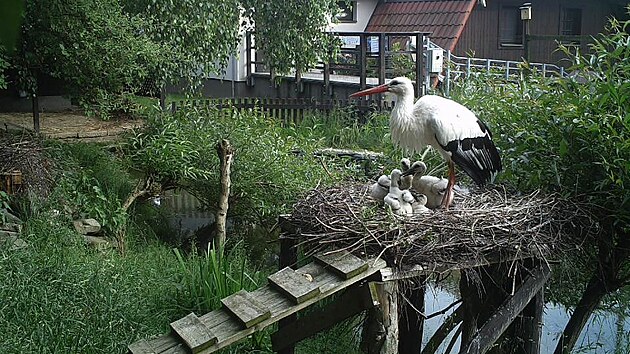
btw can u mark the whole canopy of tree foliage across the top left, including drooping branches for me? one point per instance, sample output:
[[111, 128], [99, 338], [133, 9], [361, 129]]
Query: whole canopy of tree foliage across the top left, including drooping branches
[[110, 47]]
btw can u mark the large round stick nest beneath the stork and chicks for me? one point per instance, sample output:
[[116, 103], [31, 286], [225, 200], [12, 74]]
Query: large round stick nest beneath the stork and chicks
[[483, 227]]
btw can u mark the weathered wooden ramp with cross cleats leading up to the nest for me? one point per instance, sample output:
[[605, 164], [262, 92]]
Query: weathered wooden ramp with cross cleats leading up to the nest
[[235, 321]]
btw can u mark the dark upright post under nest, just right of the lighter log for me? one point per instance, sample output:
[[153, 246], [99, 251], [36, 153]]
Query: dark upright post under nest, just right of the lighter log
[[411, 323]]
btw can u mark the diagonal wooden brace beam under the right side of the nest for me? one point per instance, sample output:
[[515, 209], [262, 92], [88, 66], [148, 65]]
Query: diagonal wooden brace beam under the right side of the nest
[[507, 312]]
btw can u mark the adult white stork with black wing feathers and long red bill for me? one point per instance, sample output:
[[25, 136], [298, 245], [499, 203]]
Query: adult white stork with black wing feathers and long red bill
[[452, 129]]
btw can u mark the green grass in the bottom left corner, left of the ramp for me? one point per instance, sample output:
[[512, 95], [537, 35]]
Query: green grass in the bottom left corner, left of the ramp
[[57, 296]]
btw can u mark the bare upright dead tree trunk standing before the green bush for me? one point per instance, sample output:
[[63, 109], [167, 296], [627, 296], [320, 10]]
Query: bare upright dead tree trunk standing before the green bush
[[226, 156]]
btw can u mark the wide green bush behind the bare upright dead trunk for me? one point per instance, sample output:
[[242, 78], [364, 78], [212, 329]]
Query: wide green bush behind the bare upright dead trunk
[[272, 165]]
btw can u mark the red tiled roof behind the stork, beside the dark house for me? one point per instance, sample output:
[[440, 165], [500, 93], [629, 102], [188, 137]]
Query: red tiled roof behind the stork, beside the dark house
[[445, 19]]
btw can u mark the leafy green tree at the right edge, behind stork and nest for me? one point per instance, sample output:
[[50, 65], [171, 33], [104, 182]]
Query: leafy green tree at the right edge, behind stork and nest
[[573, 136]]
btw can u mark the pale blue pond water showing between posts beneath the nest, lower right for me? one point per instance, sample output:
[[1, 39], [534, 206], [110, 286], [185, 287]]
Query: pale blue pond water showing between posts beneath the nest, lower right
[[606, 332]]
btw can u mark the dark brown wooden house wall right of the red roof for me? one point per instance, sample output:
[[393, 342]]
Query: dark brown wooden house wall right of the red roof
[[481, 34]]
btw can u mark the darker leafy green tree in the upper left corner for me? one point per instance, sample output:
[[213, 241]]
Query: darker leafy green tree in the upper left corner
[[91, 44]]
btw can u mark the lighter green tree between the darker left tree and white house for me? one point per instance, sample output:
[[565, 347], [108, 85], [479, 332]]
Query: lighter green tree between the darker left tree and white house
[[197, 37]]
